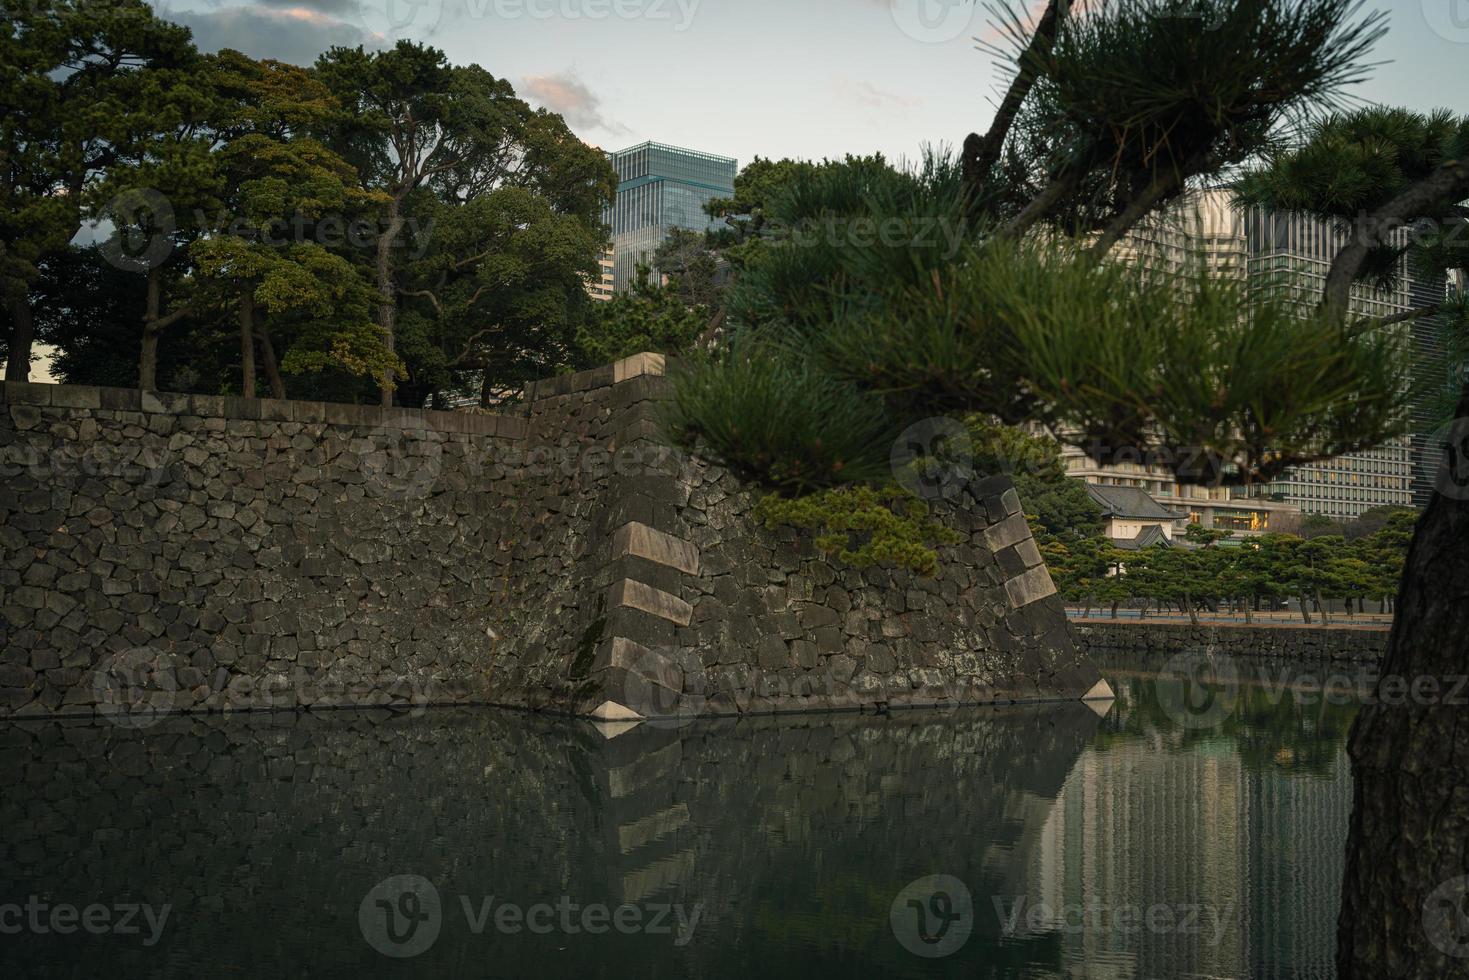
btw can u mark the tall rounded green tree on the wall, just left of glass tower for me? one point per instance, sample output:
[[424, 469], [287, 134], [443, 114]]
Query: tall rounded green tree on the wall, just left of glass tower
[[496, 290]]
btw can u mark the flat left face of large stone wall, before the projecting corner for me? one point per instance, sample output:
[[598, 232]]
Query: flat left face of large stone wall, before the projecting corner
[[208, 553]]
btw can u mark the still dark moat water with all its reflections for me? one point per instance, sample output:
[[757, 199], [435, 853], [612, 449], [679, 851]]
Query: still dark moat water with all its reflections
[[1195, 829]]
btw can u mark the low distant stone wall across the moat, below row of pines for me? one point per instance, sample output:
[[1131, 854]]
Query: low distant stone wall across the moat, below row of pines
[[1285, 643]]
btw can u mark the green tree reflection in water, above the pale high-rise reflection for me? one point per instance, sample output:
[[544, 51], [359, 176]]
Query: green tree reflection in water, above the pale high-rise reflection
[[1279, 716]]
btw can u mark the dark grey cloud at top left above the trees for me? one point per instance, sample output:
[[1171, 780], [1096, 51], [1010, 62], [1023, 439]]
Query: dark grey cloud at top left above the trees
[[295, 35]]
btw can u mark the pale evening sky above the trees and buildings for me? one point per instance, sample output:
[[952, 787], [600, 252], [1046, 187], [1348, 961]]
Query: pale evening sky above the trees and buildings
[[800, 79]]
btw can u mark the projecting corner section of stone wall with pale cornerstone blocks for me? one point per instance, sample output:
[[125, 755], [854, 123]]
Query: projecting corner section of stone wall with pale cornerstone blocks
[[710, 613]]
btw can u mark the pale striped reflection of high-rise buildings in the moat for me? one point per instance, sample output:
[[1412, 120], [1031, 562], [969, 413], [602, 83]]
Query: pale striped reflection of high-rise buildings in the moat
[[1252, 844]]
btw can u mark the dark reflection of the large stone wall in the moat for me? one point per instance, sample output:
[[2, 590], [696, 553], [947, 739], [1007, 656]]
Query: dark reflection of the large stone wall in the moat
[[265, 834]]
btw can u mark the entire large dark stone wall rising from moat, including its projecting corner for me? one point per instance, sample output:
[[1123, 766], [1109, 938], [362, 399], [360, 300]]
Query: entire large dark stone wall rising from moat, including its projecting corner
[[202, 553]]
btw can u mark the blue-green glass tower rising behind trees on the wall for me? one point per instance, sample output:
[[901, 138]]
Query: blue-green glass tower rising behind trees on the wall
[[659, 189]]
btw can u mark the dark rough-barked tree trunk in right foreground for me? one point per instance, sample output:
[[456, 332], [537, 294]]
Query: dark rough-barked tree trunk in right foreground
[[1405, 904]]
